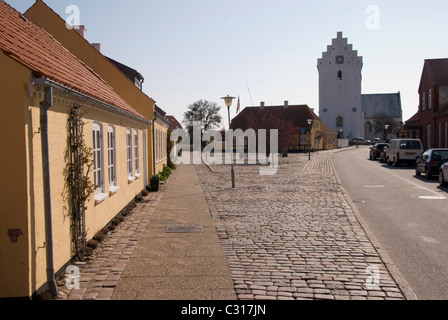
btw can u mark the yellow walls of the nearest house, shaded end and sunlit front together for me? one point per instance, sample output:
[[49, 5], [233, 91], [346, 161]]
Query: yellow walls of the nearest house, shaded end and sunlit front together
[[23, 259]]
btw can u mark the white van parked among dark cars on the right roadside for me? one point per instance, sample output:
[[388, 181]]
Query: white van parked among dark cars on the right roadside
[[403, 150]]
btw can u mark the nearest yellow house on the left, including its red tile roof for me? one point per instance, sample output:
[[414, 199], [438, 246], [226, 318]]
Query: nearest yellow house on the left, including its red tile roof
[[42, 87]]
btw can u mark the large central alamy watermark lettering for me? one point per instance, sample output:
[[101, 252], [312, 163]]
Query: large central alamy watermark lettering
[[213, 152]]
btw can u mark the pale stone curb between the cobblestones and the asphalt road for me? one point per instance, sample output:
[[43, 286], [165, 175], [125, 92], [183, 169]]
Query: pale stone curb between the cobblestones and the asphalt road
[[403, 285]]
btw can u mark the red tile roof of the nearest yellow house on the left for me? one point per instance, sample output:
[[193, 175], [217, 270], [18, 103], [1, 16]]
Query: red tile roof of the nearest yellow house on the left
[[36, 49]]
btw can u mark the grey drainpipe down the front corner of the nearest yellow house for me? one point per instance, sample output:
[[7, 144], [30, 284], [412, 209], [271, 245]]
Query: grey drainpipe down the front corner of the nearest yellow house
[[44, 106]]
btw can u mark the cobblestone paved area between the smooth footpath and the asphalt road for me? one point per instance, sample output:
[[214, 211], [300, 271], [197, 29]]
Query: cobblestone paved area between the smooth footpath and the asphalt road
[[294, 235]]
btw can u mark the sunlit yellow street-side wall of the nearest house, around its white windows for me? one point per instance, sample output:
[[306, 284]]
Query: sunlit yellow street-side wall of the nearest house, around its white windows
[[97, 215]]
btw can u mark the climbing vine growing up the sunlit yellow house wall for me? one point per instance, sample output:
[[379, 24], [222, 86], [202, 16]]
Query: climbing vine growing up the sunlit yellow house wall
[[80, 185]]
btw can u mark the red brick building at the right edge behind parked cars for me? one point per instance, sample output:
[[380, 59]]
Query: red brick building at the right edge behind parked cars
[[430, 123]]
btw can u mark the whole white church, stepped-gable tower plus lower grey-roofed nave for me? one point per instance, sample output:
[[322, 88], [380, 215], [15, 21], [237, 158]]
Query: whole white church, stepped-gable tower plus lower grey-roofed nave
[[342, 106]]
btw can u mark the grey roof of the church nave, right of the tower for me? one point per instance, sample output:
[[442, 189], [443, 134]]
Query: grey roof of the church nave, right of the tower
[[388, 103]]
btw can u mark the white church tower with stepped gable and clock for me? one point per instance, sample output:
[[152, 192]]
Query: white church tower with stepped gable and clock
[[340, 102]]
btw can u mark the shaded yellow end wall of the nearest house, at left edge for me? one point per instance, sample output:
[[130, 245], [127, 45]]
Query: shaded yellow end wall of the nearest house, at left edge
[[14, 260]]
